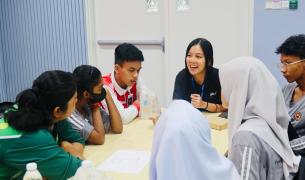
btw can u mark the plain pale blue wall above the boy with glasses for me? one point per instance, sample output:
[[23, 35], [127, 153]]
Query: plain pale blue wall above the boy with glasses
[[269, 33]]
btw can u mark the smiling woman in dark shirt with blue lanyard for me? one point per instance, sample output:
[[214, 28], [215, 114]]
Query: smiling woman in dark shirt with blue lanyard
[[198, 83]]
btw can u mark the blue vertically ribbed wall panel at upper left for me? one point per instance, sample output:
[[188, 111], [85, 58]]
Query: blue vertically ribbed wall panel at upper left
[[38, 36]]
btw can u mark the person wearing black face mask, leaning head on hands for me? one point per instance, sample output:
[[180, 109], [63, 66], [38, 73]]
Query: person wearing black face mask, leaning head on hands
[[89, 119]]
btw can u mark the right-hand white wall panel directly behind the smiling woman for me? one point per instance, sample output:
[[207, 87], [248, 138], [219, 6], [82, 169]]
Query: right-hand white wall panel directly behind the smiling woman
[[226, 24]]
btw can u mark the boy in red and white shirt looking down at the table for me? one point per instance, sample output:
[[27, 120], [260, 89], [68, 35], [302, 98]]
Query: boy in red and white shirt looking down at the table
[[124, 83]]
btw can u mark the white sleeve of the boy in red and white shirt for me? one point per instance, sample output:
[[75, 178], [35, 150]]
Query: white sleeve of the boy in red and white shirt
[[127, 114]]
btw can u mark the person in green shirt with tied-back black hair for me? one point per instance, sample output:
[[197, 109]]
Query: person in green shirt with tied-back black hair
[[35, 130]]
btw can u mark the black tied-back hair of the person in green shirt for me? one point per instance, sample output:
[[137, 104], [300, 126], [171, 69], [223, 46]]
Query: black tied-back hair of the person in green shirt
[[35, 106]]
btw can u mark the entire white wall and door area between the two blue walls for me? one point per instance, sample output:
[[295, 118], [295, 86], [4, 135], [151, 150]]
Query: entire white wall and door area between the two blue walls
[[227, 24]]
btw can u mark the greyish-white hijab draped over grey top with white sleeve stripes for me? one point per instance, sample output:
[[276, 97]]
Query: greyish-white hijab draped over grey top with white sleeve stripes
[[254, 96]]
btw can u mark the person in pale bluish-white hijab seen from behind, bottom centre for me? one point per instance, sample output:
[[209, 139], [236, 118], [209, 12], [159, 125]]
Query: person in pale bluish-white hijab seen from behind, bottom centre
[[182, 148]]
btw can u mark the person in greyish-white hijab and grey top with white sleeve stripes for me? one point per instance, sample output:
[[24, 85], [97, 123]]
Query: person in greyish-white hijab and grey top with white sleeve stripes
[[258, 121]]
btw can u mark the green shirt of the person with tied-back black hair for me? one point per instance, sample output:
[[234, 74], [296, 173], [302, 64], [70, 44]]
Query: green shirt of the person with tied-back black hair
[[17, 149]]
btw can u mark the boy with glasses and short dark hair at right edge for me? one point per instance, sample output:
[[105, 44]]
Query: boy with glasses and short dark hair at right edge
[[292, 65]]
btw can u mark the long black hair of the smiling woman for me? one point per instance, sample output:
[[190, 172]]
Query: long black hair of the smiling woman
[[206, 47]]
